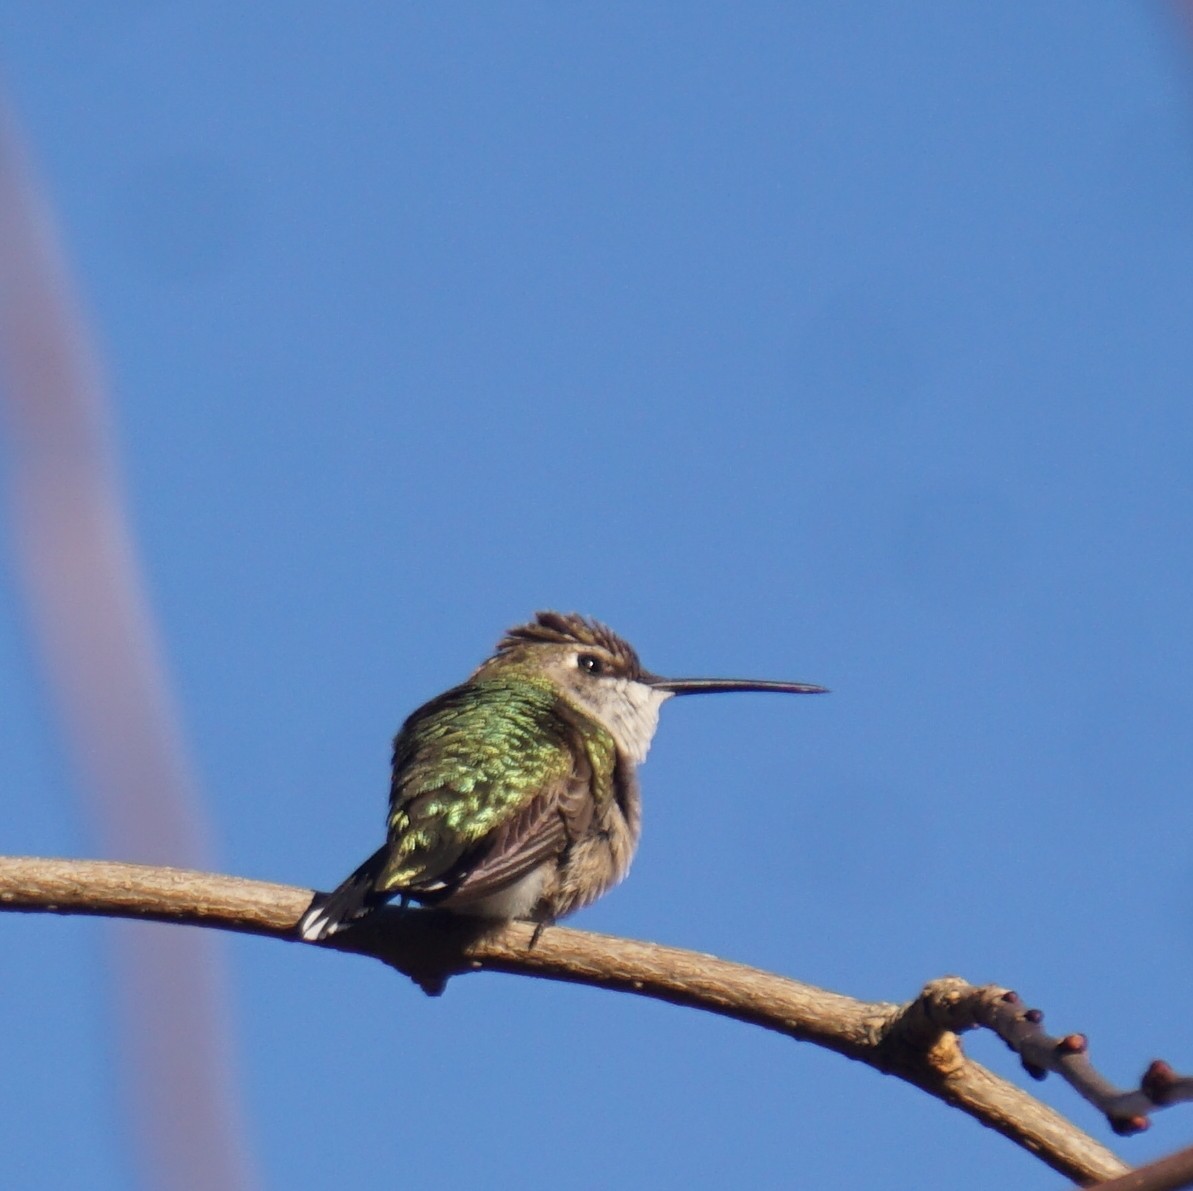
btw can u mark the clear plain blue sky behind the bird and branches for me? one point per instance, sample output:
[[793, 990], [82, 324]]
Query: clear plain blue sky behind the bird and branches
[[835, 343]]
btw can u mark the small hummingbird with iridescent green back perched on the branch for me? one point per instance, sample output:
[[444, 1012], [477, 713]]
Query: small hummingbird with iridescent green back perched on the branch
[[516, 794]]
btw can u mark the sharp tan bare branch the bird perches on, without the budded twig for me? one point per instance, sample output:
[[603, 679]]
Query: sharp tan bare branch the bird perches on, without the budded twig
[[914, 1041]]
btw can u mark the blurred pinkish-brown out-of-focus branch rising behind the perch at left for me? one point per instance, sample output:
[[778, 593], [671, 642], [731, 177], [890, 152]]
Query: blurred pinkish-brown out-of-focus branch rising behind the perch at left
[[103, 664]]
